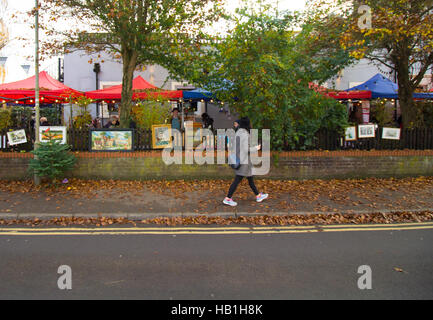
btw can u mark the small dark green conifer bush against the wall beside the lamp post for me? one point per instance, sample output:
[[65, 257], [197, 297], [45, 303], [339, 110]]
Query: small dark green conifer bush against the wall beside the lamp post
[[52, 160]]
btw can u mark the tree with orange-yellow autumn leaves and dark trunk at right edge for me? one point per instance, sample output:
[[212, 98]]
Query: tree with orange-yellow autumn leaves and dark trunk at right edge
[[399, 39]]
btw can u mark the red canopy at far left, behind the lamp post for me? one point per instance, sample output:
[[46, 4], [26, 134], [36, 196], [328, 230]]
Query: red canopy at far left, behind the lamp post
[[51, 90]]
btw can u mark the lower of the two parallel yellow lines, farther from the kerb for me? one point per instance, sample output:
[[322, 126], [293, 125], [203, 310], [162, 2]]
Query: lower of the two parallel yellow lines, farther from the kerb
[[186, 231]]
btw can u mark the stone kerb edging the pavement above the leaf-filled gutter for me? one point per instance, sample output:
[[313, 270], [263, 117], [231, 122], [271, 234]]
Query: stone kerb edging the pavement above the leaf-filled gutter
[[149, 216]]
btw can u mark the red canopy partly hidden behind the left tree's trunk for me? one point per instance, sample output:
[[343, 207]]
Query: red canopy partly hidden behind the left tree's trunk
[[141, 90]]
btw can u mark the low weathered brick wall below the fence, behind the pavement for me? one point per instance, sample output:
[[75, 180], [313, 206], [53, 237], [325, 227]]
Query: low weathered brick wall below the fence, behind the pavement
[[317, 165]]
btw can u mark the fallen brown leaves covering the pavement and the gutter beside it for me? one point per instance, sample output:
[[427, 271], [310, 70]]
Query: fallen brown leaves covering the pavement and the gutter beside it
[[326, 201]]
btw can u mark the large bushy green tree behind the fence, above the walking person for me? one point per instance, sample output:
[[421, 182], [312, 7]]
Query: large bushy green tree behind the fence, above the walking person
[[264, 68]]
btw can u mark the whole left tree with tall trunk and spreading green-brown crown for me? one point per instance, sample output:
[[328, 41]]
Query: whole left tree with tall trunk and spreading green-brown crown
[[137, 32]]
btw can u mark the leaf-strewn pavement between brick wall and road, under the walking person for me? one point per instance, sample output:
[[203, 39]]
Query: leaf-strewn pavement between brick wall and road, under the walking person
[[151, 199]]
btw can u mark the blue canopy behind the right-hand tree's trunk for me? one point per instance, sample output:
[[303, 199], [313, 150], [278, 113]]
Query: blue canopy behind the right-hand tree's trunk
[[382, 87]]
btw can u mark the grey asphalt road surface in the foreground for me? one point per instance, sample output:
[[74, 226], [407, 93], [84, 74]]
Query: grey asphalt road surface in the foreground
[[320, 265]]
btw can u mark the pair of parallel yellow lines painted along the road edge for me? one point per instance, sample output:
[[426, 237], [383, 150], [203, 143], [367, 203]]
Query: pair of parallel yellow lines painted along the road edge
[[220, 230]]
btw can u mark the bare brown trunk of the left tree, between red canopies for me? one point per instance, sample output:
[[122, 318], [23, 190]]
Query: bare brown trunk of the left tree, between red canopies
[[129, 59]]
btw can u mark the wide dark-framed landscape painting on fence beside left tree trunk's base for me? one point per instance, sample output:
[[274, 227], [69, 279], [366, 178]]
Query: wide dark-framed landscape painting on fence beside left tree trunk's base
[[111, 140]]
